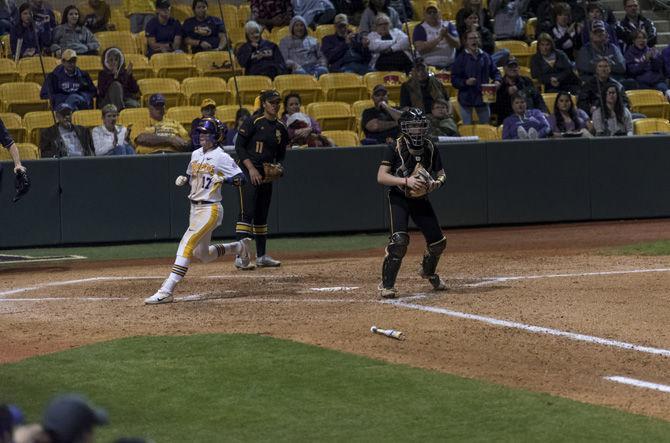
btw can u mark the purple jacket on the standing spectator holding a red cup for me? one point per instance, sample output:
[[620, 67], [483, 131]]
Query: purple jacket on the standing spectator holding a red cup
[[479, 66]]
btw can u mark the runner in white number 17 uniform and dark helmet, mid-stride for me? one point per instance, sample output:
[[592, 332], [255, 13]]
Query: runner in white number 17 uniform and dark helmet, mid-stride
[[208, 169]]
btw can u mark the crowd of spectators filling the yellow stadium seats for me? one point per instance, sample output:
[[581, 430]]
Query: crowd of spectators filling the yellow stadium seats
[[457, 65]]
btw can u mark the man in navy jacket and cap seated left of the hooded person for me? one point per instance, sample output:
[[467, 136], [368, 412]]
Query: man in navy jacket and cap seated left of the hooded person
[[69, 84]]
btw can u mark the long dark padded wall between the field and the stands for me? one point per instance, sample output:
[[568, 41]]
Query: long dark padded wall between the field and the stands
[[328, 190]]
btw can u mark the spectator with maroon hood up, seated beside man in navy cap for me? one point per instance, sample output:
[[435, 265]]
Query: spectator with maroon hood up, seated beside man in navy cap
[[116, 83]]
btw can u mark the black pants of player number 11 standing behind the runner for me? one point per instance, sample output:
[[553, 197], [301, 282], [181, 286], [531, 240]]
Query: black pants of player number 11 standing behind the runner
[[253, 219]]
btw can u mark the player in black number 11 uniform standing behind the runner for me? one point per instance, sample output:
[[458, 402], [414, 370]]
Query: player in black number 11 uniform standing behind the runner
[[262, 138]]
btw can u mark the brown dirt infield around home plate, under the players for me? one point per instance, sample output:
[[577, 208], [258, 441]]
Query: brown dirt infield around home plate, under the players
[[503, 283]]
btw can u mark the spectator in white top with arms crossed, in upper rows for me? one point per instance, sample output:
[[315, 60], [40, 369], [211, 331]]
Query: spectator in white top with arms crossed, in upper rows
[[389, 47]]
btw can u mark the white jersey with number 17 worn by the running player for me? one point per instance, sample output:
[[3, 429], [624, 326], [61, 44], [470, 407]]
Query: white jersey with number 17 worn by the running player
[[207, 171]]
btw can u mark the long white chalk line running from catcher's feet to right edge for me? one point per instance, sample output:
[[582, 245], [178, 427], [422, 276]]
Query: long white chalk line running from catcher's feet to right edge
[[532, 328]]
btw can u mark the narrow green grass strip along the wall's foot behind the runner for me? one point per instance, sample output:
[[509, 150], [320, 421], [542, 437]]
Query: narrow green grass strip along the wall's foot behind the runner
[[168, 249]]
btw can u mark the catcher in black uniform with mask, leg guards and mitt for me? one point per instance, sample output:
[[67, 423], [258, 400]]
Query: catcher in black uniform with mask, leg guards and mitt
[[412, 168]]
